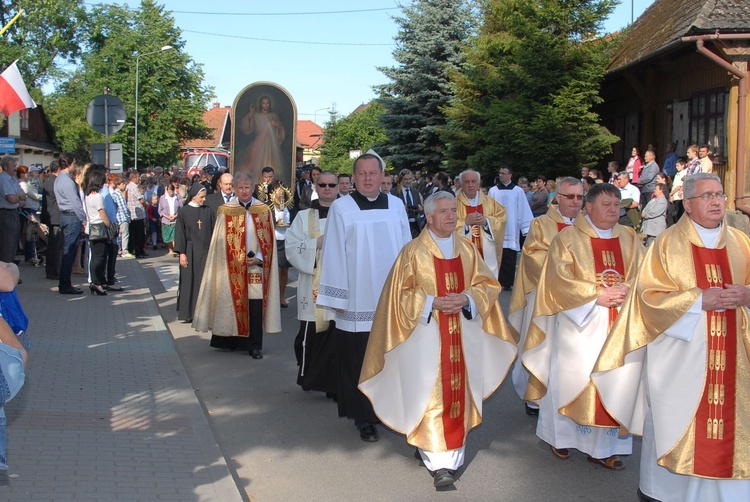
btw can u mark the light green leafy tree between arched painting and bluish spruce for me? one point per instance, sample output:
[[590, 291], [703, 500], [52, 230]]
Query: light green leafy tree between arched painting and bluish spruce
[[359, 131]]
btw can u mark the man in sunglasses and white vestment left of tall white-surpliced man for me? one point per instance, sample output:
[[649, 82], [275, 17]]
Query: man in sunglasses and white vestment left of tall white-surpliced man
[[303, 244]]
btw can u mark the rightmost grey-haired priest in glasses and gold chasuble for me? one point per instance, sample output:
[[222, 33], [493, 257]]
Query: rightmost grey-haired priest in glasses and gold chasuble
[[688, 319]]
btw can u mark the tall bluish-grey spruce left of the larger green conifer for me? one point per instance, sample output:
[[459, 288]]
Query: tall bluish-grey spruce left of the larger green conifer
[[428, 47]]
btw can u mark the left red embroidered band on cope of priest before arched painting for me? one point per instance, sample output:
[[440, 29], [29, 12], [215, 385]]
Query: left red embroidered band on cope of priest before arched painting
[[236, 230]]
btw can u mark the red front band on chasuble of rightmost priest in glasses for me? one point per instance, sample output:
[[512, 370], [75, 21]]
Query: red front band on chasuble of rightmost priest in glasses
[[714, 419]]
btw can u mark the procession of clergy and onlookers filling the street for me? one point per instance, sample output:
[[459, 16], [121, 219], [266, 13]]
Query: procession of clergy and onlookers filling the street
[[398, 299]]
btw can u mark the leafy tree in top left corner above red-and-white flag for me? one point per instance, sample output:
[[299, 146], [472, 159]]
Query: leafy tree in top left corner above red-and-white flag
[[43, 39]]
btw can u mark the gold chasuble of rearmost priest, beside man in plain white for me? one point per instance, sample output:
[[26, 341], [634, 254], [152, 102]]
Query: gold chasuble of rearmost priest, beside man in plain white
[[496, 218]]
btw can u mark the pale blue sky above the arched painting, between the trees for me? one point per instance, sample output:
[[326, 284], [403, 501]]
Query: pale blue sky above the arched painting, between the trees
[[324, 53]]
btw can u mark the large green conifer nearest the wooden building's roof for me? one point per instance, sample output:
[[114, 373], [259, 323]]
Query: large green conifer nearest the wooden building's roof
[[526, 96]]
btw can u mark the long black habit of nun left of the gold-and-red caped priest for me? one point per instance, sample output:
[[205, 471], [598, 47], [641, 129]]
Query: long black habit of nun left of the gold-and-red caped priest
[[193, 230]]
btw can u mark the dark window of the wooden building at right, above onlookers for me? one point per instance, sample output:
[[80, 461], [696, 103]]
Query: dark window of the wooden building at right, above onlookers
[[708, 121]]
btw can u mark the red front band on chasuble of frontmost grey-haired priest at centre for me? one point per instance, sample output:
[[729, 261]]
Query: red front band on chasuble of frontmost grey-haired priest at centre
[[450, 279]]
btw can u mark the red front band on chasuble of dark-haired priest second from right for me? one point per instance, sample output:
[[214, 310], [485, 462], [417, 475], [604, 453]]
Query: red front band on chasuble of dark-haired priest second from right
[[610, 271]]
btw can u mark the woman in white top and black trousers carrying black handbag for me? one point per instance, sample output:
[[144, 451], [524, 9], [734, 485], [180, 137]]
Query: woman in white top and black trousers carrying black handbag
[[98, 225]]
